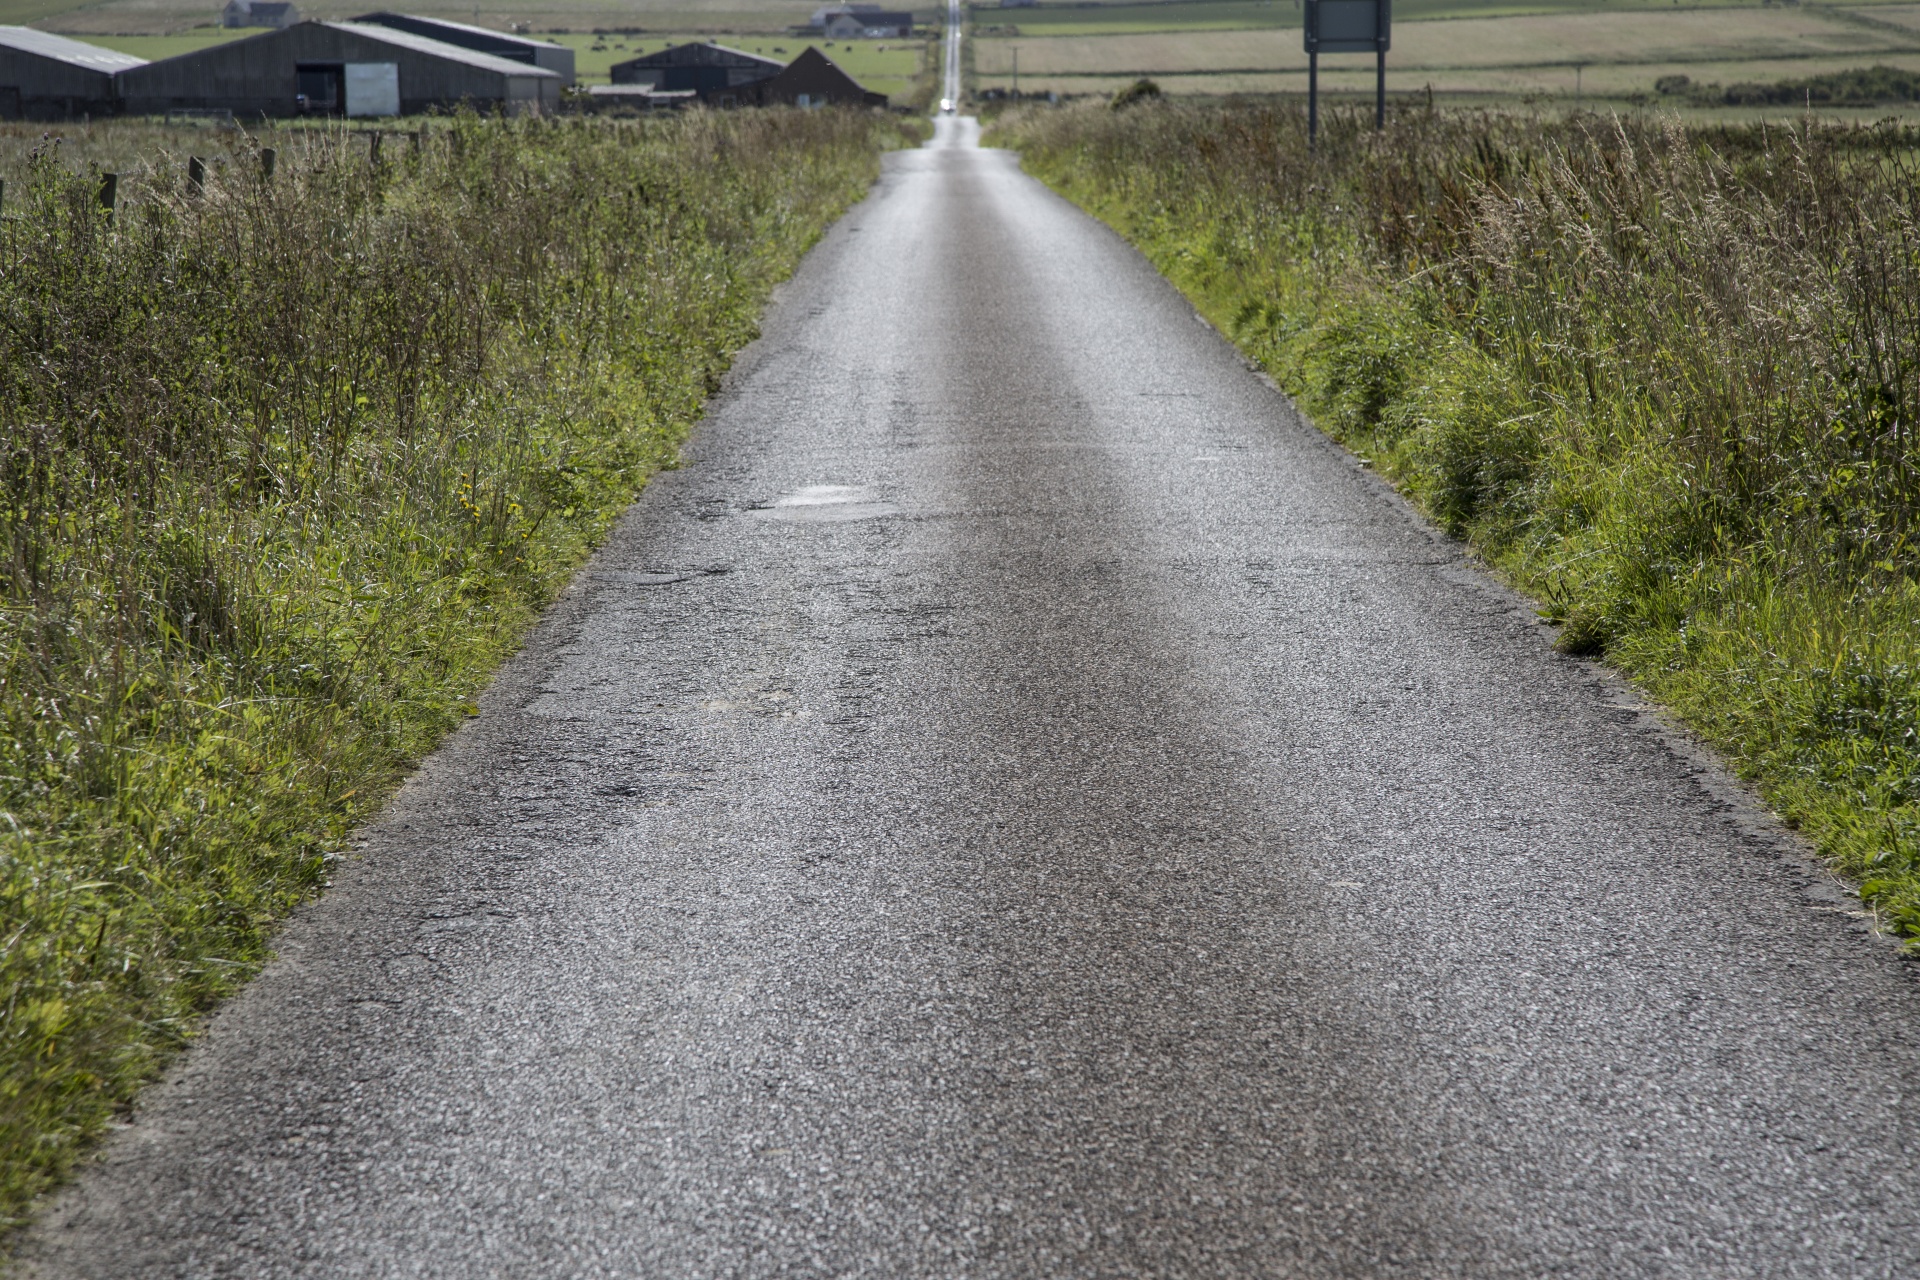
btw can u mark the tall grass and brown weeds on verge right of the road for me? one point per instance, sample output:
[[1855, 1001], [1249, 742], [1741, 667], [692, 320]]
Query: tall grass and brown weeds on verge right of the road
[[1664, 379]]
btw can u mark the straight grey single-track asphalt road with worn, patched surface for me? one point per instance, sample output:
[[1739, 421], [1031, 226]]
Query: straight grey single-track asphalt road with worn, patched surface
[[1020, 803]]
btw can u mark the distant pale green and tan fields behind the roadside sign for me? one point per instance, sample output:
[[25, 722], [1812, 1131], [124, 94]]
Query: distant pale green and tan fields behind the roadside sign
[[1545, 51]]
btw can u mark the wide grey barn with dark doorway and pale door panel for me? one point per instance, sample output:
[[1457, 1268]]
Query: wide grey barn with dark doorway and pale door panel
[[337, 70]]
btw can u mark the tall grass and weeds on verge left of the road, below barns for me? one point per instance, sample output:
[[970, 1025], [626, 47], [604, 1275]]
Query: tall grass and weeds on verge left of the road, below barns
[[287, 467]]
